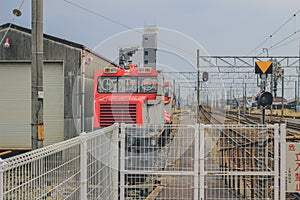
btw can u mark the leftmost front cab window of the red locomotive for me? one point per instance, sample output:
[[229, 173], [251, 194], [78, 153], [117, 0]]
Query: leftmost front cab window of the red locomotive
[[107, 84]]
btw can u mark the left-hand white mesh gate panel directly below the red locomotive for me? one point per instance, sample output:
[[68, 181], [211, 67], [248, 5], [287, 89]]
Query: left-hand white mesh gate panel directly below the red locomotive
[[159, 162]]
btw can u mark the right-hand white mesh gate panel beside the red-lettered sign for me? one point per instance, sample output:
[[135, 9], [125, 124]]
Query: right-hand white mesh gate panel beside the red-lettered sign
[[241, 162]]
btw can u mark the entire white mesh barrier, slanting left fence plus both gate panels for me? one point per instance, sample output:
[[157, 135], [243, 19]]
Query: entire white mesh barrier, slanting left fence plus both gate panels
[[156, 162]]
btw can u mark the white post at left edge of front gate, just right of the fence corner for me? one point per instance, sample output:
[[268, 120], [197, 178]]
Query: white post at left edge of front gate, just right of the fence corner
[[122, 162]]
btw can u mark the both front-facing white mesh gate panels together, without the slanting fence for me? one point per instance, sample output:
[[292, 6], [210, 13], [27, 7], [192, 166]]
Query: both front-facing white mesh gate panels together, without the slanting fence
[[201, 162]]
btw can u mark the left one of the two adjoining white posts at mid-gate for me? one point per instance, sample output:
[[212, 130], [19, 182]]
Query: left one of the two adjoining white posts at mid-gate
[[196, 163]]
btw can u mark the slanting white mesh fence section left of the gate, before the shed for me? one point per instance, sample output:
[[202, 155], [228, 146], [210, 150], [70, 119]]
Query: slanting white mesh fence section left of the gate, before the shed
[[84, 167]]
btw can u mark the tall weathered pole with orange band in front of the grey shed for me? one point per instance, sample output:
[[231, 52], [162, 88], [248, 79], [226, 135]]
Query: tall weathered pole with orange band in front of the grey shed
[[37, 65]]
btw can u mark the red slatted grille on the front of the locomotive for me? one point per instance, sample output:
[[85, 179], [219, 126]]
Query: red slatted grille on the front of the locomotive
[[112, 113]]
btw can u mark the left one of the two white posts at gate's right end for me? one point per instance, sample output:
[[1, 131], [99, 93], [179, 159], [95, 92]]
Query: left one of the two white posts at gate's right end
[[276, 161]]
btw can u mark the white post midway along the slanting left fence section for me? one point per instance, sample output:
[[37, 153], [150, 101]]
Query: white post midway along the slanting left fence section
[[83, 167]]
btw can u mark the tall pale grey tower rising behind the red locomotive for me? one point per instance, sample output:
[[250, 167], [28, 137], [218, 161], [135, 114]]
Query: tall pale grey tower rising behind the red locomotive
[[150, 46]]
